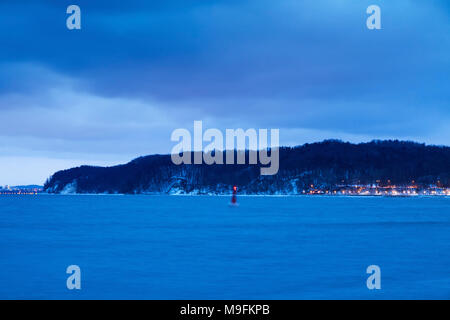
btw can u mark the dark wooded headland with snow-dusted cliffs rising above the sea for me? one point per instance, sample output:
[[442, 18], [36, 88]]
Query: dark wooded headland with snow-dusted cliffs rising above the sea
[[324, 165]]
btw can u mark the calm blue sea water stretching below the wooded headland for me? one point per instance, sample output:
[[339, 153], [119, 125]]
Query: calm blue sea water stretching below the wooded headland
[[198, 247]]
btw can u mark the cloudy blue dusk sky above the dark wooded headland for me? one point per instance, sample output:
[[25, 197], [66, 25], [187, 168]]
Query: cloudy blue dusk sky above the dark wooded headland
[[137, 70]]
